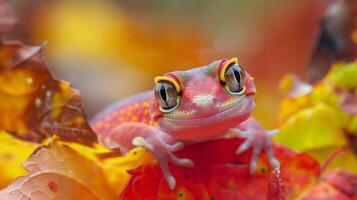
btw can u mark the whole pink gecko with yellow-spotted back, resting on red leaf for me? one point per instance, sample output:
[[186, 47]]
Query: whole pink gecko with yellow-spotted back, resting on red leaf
[[186, 107]]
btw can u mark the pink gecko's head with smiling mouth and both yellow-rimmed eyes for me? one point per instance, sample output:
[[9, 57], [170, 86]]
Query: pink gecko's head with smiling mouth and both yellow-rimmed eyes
[[203, 102]]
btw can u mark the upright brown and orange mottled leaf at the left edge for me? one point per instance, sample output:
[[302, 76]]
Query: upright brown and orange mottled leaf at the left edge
[[37, 105]]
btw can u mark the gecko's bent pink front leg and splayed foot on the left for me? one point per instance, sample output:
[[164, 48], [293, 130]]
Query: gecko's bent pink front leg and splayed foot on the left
[[133, 134]]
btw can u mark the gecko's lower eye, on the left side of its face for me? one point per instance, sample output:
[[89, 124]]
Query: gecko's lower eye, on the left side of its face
[[167, 96]]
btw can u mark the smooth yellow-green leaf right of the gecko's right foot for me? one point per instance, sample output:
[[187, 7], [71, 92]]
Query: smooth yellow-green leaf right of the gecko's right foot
[[312, 128]]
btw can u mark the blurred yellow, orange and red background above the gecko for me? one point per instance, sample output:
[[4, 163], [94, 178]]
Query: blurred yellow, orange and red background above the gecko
[[112, 49]]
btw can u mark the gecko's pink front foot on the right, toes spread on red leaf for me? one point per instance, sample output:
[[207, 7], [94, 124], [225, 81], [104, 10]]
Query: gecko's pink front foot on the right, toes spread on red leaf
[[257, 138]]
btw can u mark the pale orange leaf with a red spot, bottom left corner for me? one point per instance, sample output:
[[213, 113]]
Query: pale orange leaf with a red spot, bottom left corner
[[59, 172]]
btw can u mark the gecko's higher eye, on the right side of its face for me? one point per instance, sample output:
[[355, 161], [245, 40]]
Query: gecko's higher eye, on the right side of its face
[[232, 76]]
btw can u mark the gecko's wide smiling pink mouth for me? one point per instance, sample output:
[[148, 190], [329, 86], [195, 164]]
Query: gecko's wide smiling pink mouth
[[244, 107]]
